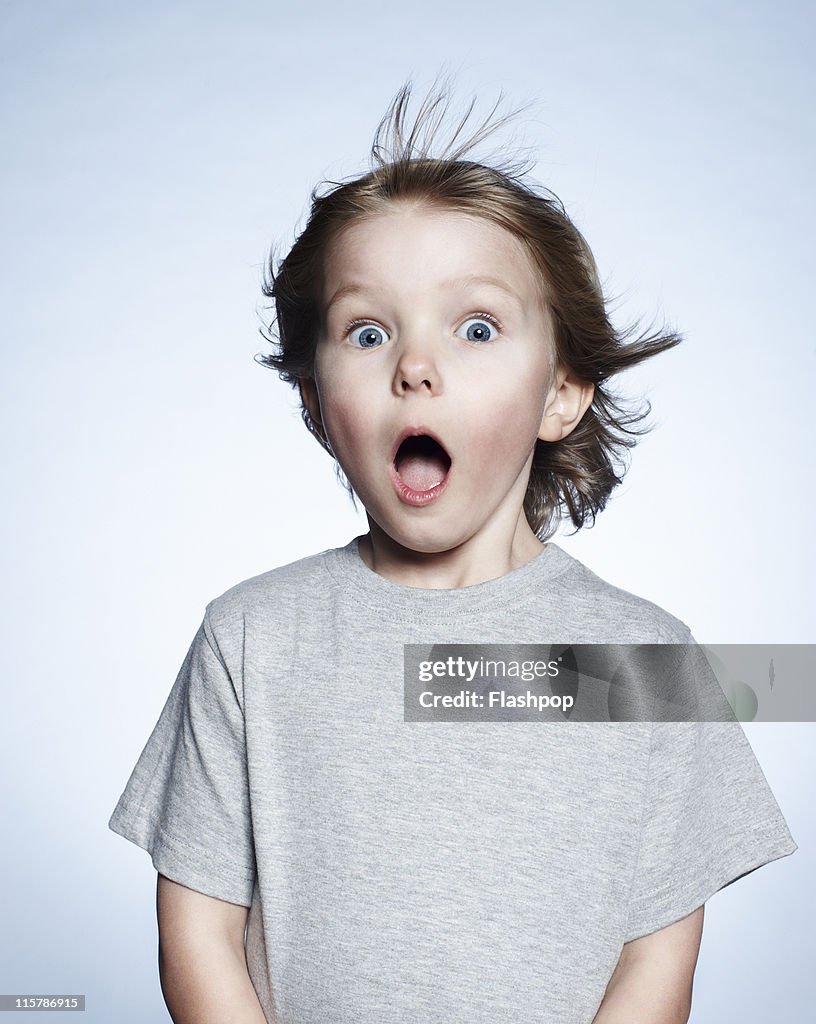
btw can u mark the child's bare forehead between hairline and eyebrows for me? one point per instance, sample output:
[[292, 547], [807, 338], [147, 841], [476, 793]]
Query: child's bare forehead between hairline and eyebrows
[[416, 250]]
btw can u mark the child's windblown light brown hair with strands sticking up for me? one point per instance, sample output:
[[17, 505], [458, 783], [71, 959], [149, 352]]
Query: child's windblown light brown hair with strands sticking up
[[571, 478]]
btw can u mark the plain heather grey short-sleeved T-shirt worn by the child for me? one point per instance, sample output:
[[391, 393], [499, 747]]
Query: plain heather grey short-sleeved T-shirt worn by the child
[[433, 872]]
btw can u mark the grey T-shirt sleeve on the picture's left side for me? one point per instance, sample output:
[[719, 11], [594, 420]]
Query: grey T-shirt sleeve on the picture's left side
[[187, 802]]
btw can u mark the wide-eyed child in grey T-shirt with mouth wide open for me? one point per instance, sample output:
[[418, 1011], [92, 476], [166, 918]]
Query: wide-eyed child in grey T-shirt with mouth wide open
[[448, 333]]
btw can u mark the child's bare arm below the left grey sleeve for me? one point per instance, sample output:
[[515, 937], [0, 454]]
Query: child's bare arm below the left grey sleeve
[[202, 964]]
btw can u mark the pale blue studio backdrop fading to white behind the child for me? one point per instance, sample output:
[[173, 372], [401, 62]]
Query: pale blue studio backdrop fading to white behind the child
[[151, 155]]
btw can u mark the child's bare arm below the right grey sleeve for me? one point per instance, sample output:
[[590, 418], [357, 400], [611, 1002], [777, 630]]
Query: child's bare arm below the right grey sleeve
[[654, 979]]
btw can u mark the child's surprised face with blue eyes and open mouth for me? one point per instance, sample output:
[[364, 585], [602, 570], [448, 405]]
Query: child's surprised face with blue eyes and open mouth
[[423, 354]]
